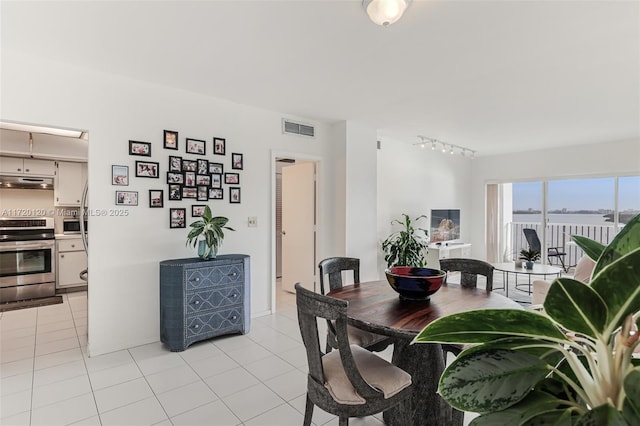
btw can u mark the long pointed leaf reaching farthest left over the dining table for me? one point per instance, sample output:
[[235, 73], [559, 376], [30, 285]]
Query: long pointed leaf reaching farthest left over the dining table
[[486, 325]]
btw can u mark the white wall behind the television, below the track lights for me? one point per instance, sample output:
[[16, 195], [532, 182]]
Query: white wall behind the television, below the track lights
[[414, 180]]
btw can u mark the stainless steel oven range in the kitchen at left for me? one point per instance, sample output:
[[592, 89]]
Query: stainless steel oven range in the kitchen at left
[[27, 258]]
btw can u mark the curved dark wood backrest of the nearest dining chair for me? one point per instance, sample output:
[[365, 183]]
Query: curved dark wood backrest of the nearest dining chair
[[312, 306]]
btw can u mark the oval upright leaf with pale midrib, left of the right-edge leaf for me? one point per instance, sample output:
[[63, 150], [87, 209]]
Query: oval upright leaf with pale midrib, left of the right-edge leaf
[[576, 306]]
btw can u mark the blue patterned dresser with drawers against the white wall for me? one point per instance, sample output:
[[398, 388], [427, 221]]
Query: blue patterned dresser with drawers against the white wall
[[200, 299]]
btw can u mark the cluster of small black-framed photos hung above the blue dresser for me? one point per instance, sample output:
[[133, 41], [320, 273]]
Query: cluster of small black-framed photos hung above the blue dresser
[[197, 171]]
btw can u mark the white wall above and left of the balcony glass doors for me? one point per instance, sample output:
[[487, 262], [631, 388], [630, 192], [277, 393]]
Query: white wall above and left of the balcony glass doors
[[605, 159]]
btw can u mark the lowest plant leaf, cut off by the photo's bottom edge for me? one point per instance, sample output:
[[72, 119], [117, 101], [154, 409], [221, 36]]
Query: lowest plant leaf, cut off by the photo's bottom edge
[[532, 405]]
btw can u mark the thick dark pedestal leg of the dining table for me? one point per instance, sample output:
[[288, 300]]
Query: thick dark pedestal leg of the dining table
[[425, 363]]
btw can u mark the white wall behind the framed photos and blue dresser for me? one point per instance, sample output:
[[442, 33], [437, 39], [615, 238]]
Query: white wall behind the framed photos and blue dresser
[[126, 244]]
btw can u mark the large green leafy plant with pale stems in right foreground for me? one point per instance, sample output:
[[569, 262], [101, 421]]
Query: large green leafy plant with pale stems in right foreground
[[571, 364]]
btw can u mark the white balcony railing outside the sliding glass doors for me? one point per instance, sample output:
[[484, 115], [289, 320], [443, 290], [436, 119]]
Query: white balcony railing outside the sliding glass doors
[[559, 235]]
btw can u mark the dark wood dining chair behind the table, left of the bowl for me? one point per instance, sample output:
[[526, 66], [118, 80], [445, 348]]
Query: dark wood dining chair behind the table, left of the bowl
[[332, 268]]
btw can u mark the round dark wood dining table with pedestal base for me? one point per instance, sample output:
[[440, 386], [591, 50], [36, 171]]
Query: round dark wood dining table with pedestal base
[[374, 306]]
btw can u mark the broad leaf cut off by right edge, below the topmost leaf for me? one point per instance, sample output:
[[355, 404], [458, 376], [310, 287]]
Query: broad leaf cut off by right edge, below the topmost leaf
[[618, 285]]
